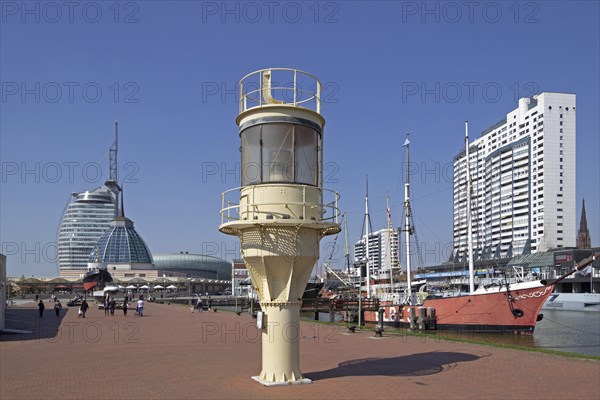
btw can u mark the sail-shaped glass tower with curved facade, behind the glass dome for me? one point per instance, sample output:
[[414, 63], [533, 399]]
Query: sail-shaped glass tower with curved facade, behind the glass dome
[[87, 216]]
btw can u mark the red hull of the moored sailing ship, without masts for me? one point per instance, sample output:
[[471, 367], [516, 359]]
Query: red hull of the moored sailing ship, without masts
[[499, 311]]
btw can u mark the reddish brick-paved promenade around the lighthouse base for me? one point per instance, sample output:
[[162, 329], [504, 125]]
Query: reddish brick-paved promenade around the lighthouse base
[[173, 354]]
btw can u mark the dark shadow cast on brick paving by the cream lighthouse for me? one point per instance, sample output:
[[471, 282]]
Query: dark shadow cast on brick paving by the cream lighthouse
[[413, 365]]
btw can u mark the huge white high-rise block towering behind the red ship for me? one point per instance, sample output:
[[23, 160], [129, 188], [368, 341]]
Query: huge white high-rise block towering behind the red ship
[[523, 173]]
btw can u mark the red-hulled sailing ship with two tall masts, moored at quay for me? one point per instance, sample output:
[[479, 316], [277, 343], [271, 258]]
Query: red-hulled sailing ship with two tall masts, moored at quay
[[504, 308]]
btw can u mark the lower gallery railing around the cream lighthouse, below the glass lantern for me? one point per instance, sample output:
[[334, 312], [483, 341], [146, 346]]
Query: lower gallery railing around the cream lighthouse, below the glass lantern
[[332, 206]]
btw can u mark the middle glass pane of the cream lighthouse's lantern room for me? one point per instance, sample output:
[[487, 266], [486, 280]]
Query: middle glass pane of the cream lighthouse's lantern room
[[277, 162]]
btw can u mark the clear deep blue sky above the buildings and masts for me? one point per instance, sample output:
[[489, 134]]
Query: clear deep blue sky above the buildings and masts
[[167, 71]]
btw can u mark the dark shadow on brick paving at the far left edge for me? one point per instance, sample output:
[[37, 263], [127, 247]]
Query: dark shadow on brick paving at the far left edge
[[28, 319]]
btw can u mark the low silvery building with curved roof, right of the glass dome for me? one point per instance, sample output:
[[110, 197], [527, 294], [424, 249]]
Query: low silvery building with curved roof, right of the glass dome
[[194, 265]]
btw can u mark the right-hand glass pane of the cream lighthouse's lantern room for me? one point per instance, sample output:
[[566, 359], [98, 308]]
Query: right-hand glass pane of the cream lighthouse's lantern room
[[306, 155]]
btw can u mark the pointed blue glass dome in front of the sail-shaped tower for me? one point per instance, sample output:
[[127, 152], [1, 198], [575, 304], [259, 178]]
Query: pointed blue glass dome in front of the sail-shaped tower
[[121, 244]]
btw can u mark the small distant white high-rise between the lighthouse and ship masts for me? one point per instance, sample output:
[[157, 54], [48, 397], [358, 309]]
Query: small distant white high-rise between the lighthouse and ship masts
[[383, 250]]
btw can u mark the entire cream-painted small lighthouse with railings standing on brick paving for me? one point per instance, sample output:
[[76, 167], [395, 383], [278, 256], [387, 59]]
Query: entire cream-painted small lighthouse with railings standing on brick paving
[[280, 214]]
